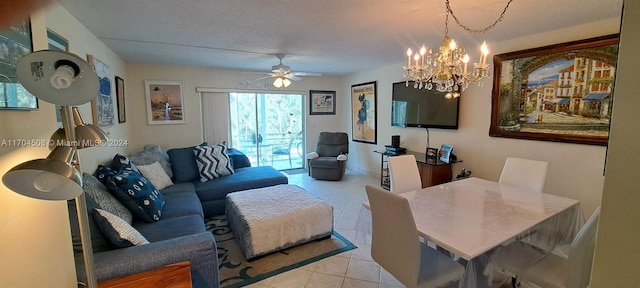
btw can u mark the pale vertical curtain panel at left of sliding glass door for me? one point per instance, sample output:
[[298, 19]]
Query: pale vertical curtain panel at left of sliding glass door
[[215, 117]]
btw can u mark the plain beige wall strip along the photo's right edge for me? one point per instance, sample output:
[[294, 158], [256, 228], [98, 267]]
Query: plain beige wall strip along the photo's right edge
[[617, 253]]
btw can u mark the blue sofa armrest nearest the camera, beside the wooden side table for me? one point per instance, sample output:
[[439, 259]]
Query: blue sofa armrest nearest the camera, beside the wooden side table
[[199, 249]]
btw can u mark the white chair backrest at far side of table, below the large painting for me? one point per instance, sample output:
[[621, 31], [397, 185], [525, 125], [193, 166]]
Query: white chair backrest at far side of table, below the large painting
[[524, 173]]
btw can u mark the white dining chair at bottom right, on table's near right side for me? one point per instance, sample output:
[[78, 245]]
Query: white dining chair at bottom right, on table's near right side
[[545, 269]]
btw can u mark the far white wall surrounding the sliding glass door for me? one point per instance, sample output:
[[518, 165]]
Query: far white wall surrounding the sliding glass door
[[181, 135]]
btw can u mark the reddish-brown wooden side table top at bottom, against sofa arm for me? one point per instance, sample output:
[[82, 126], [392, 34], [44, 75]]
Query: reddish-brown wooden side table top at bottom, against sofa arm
[[176, 275]]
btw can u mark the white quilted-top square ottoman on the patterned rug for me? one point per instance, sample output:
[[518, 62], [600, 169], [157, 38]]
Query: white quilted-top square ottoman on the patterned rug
[[273, 218]]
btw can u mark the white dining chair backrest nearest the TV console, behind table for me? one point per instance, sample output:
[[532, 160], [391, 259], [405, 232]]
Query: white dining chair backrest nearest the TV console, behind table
[[404, 174]]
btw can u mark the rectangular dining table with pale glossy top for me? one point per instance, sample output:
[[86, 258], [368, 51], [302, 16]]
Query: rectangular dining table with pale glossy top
[[470, 218]]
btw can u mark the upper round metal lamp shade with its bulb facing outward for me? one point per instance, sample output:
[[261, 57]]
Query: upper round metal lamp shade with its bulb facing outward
[[58, 77]]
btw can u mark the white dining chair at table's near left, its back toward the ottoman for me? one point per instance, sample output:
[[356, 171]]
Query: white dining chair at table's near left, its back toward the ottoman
[[395, 245]]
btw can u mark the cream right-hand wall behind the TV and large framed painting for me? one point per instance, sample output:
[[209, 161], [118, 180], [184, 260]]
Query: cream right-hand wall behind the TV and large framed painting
[[575, 171]]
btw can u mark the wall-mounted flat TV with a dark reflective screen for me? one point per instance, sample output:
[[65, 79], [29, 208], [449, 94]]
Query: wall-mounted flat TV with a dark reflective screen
[[411, 107]]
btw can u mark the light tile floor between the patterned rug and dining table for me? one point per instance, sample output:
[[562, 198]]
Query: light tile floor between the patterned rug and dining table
[[352, 269]]
